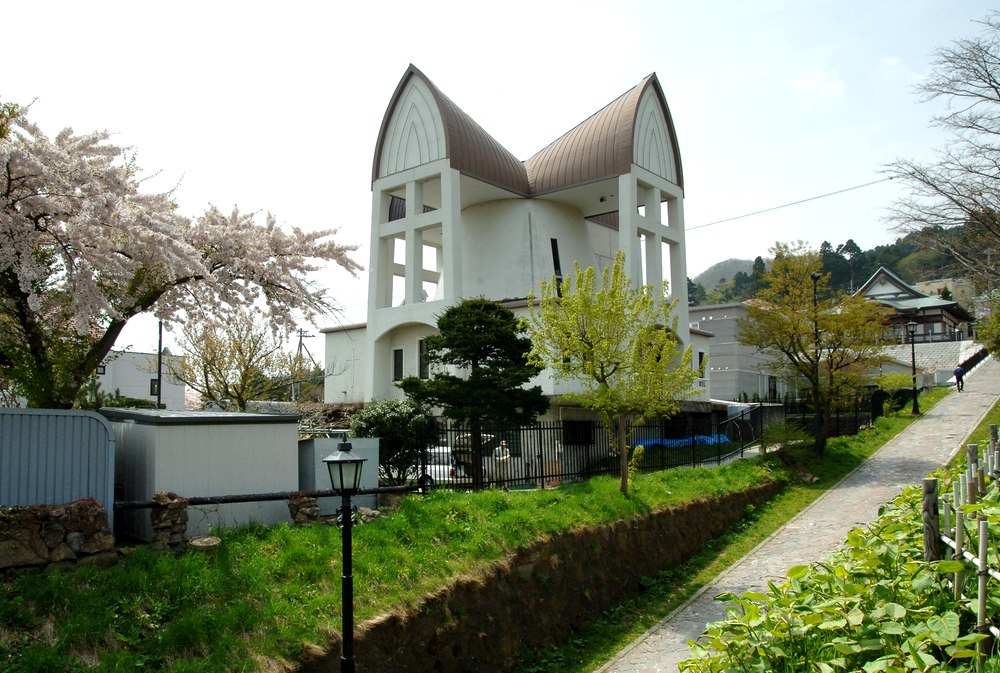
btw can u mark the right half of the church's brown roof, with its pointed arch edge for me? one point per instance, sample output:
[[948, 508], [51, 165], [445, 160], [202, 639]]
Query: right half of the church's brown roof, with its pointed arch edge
[[602, 146]]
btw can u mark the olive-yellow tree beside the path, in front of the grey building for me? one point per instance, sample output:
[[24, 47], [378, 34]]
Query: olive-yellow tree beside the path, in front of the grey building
[[832, 341]]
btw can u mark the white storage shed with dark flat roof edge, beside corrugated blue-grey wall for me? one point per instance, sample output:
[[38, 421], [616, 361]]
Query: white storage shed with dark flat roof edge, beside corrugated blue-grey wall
[[204, 454]]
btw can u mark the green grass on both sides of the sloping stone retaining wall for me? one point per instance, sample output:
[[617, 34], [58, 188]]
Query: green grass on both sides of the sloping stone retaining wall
[[268, 592]]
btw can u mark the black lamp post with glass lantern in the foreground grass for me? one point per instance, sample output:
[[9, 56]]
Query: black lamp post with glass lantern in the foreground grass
[[345, 479]]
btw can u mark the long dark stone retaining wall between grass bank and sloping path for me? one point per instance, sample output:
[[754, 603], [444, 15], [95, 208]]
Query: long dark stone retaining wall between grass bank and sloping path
[[497, 619]]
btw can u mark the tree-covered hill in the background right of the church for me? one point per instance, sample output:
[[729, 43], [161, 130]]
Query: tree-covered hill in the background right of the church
[[848, 265]]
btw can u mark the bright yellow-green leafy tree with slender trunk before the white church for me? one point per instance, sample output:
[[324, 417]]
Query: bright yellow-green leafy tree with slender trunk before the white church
[[618, 342]]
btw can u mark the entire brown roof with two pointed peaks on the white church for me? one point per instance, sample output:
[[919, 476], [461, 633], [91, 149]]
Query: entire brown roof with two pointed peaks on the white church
[[601, 147]]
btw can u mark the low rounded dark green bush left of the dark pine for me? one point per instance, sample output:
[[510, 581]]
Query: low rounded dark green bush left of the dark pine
[[404, 429]]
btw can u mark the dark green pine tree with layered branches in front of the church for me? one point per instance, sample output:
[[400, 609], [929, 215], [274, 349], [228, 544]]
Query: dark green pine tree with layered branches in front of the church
[[484, 339]]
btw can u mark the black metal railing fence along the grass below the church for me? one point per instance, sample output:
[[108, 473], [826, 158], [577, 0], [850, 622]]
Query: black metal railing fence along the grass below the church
[[554, 452]]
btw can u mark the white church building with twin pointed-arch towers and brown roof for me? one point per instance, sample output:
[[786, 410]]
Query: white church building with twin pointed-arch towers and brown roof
[[455, 216]]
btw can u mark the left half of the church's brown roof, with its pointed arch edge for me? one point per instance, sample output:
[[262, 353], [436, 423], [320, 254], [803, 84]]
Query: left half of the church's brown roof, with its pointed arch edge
[[472, 150]]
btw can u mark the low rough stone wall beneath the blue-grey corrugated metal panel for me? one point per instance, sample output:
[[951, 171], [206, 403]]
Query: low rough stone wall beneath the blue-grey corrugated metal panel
[[45, 535]]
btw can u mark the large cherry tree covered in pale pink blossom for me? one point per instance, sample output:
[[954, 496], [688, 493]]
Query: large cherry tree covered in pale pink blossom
[[83, 250]]
